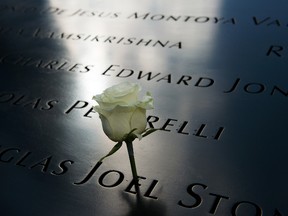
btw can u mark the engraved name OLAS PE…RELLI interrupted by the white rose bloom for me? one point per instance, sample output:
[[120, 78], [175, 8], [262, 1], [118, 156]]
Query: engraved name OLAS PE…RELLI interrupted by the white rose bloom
[[85, 109]]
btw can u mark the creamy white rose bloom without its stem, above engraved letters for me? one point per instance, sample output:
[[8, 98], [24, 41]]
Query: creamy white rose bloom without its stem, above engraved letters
[[120, 110]]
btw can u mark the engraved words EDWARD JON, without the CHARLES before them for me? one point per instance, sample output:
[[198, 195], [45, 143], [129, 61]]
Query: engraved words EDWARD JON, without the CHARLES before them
[[249, 87]]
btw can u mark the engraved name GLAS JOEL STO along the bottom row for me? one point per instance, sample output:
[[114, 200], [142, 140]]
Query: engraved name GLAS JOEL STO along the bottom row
[[194, 197]]
